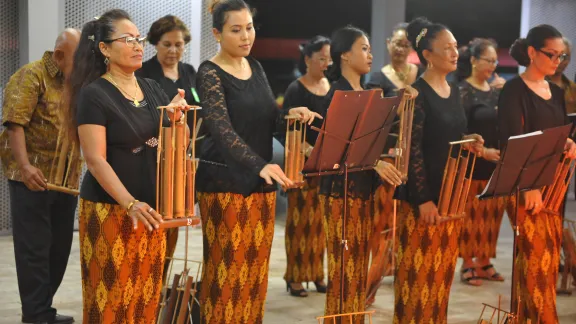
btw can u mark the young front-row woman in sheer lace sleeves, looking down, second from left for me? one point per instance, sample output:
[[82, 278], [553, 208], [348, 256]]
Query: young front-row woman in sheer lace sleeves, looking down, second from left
[[235, 185]]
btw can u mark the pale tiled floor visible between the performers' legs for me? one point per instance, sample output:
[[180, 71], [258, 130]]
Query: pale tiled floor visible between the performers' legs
[[465, 301]]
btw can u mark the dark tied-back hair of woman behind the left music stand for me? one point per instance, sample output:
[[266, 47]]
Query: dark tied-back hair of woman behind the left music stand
[[342, 41]]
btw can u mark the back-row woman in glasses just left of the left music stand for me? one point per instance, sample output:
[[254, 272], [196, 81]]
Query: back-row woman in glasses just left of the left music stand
[[305, 240]]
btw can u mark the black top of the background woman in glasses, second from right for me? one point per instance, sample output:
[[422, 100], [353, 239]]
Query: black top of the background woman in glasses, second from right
[[481, 108]]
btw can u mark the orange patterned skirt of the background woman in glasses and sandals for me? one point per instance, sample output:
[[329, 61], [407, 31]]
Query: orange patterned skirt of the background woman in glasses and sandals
[[482, 224]]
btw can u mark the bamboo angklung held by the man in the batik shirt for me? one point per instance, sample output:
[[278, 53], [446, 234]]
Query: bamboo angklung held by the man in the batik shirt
[[64, 173]]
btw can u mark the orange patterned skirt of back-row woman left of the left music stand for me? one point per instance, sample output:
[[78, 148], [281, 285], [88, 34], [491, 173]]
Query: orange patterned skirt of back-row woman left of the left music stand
[[305, 240]]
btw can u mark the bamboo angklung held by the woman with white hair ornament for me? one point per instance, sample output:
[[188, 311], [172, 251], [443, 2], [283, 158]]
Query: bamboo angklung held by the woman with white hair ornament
[[456, 182]]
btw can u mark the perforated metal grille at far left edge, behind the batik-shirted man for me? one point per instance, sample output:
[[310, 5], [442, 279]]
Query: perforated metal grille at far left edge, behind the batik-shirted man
[[9, 60]]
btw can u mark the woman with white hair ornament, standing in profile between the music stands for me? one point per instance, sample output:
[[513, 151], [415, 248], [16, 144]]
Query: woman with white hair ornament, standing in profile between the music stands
[[428, 248]]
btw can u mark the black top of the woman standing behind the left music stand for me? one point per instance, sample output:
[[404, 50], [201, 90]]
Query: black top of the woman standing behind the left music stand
[[361, 184]]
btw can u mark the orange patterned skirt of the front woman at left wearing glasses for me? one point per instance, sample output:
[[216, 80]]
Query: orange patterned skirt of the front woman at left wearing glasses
[[121, 267]]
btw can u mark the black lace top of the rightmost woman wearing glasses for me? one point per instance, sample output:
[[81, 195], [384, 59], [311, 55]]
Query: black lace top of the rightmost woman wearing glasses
[[521, 110]]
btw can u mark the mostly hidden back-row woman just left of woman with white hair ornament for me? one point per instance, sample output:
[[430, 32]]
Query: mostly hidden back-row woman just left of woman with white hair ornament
[[399, 74]]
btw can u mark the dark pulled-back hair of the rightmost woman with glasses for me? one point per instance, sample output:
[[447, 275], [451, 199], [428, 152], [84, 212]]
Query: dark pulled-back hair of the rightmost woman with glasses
[[537, 37]]
